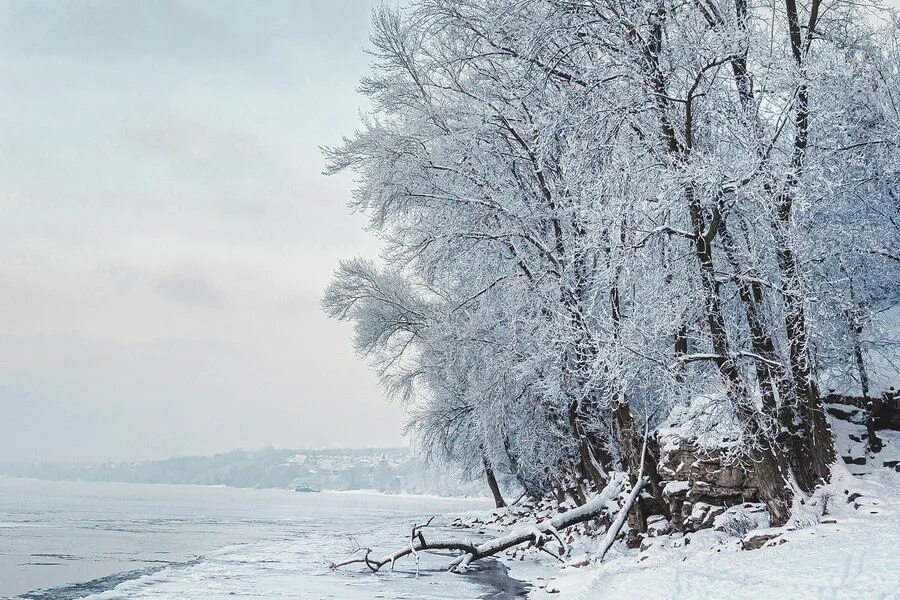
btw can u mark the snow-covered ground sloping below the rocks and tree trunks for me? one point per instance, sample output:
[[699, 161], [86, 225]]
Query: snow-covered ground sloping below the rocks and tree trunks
[[854, 553]]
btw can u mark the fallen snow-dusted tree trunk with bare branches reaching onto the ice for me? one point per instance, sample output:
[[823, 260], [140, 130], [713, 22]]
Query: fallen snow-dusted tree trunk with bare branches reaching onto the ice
[[538, 533]]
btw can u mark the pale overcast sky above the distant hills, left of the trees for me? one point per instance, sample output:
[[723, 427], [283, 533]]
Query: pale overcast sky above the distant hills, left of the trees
[[166, 231]]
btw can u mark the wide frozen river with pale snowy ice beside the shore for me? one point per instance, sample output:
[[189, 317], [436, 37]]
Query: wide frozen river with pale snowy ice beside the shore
[[64, 540]]
